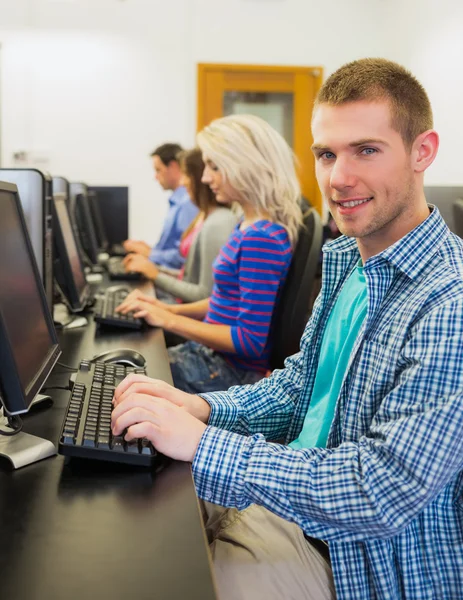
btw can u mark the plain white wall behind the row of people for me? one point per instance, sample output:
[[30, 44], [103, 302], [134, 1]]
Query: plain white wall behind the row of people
[[90, 87]]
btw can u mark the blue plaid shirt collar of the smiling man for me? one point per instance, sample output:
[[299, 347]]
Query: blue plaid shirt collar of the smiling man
[[411, 253]]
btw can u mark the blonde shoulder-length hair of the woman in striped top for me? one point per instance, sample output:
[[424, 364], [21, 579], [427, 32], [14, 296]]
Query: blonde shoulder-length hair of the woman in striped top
[[258, 164]]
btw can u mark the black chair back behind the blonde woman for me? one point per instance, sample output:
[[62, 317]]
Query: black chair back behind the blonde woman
[[294, 303]]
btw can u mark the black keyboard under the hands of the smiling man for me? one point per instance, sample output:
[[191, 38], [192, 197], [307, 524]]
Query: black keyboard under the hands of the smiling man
[[86, 431]]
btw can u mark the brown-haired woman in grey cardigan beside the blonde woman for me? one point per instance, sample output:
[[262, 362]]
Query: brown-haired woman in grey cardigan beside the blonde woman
[[200, 243]]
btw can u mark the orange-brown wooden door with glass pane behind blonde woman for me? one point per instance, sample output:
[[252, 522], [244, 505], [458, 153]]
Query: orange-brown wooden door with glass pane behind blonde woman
[[283, 96]]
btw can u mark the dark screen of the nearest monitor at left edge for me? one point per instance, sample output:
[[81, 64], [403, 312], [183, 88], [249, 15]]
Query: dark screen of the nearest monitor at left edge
[[28, 343]]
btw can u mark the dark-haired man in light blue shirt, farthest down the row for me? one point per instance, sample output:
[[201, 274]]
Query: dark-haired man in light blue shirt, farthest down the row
[[180, 214]]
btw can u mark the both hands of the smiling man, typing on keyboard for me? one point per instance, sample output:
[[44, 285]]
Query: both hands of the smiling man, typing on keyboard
[[142, 408]]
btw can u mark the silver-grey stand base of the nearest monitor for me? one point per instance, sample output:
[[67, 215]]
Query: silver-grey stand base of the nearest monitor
[[22, 448]]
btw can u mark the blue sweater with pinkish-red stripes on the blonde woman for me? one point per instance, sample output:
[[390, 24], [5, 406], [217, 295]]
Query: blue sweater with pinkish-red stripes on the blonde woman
[[248, 273]]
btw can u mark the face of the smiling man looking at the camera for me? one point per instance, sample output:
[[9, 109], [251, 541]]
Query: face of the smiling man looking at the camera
[[365, 172]]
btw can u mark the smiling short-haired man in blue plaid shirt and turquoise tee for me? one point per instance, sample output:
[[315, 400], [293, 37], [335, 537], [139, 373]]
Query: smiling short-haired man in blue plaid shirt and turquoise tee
[[371, 407]]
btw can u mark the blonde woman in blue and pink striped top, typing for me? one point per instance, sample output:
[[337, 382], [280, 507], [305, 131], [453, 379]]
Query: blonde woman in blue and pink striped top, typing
[[249, 163]]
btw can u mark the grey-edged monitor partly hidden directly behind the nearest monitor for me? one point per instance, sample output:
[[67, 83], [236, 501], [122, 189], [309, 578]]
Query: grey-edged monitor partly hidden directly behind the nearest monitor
[[35, 193]]
